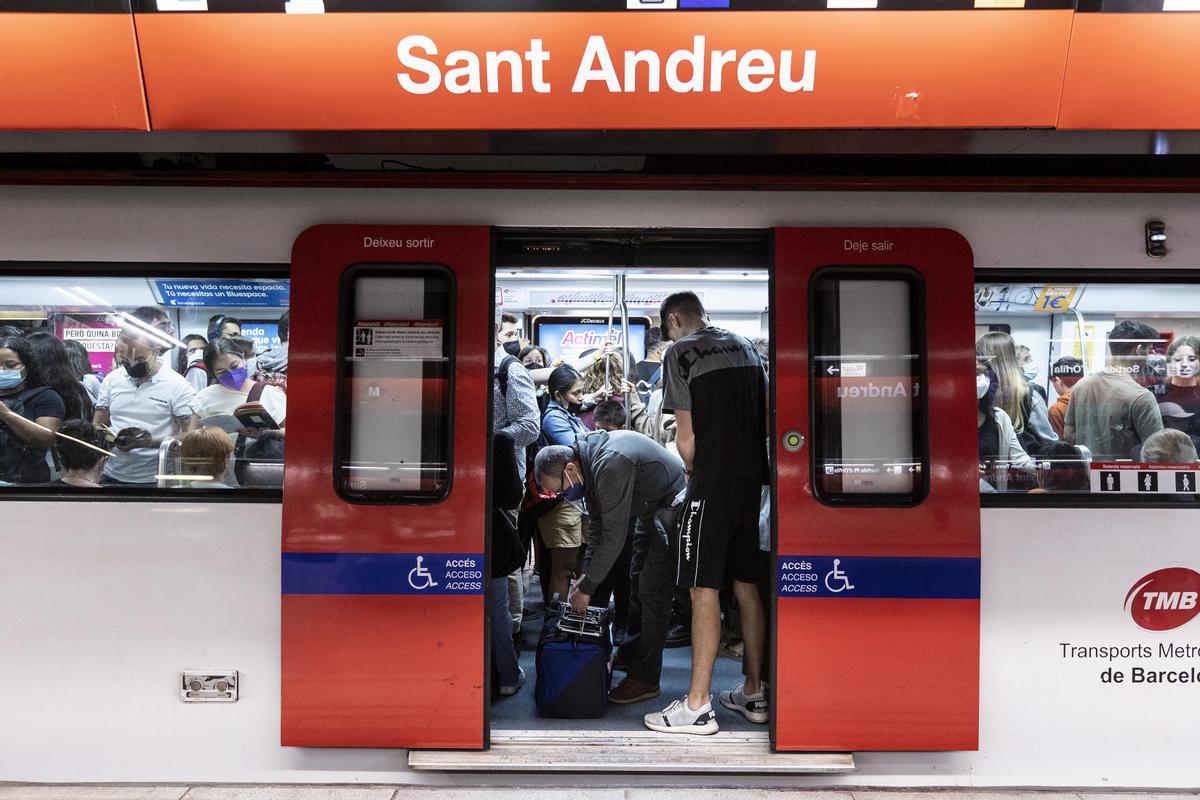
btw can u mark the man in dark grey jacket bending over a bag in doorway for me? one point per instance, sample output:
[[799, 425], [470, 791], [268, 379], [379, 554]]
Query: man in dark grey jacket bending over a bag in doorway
[[615, 478]]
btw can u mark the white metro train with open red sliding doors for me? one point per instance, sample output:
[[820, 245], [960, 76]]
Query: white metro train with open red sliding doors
[[946, 667]]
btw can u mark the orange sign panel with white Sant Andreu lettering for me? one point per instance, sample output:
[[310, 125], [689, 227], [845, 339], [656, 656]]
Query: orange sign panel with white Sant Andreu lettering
[[604, 70]]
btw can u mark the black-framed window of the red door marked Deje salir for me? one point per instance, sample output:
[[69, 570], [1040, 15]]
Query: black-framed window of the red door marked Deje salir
[[869, 413]]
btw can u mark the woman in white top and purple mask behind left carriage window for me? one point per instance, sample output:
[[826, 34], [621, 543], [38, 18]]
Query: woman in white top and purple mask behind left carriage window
[[227, 366]]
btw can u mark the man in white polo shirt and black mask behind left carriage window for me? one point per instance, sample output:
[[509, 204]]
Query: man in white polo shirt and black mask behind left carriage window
[[143, 402]]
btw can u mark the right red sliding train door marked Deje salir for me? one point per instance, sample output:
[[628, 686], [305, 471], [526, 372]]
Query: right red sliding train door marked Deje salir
[[878, 607]]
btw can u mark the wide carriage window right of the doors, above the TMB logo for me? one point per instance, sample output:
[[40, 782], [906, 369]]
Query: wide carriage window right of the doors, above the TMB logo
[[1089, 388]]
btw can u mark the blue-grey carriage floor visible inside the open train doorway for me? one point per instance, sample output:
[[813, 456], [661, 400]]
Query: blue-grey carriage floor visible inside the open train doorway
[[519, 712]]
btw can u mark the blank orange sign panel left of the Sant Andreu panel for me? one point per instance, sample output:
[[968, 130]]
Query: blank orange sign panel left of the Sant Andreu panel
[[70, 73]]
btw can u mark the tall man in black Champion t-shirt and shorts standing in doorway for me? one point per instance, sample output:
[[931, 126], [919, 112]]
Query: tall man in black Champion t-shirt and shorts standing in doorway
[[716, 386]]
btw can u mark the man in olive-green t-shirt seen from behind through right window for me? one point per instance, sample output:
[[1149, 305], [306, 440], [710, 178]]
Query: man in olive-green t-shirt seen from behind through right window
[[1112, 412]]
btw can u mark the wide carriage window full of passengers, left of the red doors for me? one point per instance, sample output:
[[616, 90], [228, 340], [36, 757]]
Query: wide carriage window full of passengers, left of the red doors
[[136, 383]]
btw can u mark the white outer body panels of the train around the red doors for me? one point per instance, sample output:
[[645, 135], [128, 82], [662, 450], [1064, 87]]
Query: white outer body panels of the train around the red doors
[[104, 604]]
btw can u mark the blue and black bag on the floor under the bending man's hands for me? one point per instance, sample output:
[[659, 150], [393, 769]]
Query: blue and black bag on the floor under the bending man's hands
[[573, 664]]
